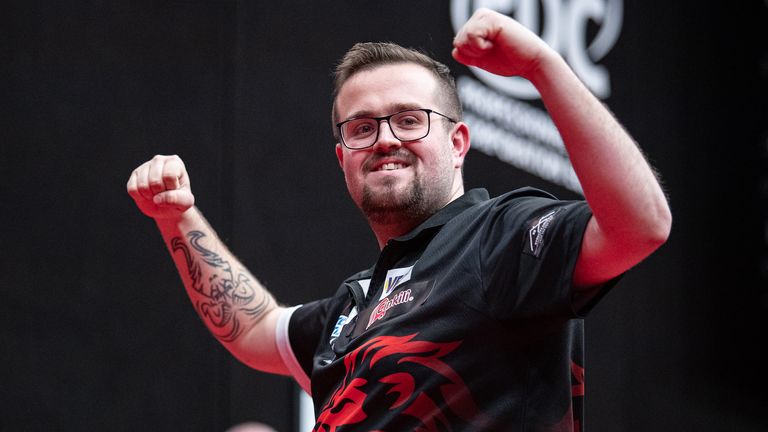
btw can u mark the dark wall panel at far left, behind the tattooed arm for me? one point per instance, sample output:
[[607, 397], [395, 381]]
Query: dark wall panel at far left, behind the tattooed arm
[[97, 332]]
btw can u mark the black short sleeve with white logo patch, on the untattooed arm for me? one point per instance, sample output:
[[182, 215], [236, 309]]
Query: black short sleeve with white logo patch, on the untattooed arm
[[531, 245]]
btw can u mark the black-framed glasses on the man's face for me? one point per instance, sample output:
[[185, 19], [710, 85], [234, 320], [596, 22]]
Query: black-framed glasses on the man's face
[[408, 125]]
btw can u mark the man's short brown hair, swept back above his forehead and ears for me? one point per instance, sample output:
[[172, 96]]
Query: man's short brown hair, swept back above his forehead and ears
[[369, 55]]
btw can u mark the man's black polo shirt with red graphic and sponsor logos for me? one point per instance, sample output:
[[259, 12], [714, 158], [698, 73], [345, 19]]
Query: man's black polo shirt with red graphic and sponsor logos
[[467, 323]]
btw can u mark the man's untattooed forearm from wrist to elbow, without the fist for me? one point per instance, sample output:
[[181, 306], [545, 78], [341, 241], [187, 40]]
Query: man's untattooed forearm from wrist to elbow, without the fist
[[620, 186]]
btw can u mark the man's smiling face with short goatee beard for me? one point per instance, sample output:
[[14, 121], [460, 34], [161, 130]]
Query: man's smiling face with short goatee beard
[[394, 181]]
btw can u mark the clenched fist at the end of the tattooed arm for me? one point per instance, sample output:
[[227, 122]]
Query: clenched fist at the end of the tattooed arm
[[161, 187]]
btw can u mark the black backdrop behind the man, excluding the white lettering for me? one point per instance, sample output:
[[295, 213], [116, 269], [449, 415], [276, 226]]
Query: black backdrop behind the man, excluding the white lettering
[[96, 330]]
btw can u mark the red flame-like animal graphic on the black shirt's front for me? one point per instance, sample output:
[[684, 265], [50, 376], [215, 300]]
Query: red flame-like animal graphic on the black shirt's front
[[346, 405]]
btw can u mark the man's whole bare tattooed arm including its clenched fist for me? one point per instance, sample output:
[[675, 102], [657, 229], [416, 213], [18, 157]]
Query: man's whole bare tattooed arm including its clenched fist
[[235, 307]]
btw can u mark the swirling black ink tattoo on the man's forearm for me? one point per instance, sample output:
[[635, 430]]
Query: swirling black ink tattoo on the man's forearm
[[227, 301]]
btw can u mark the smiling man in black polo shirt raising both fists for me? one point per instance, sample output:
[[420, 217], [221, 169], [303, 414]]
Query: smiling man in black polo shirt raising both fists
[[469, 320]]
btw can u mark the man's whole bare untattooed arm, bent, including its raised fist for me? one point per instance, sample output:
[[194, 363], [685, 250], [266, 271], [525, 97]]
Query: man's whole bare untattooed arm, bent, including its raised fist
[[631, 217]]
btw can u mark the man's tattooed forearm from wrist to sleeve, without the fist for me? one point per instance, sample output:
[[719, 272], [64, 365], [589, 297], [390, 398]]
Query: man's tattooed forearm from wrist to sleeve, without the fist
[[229, 300]]
